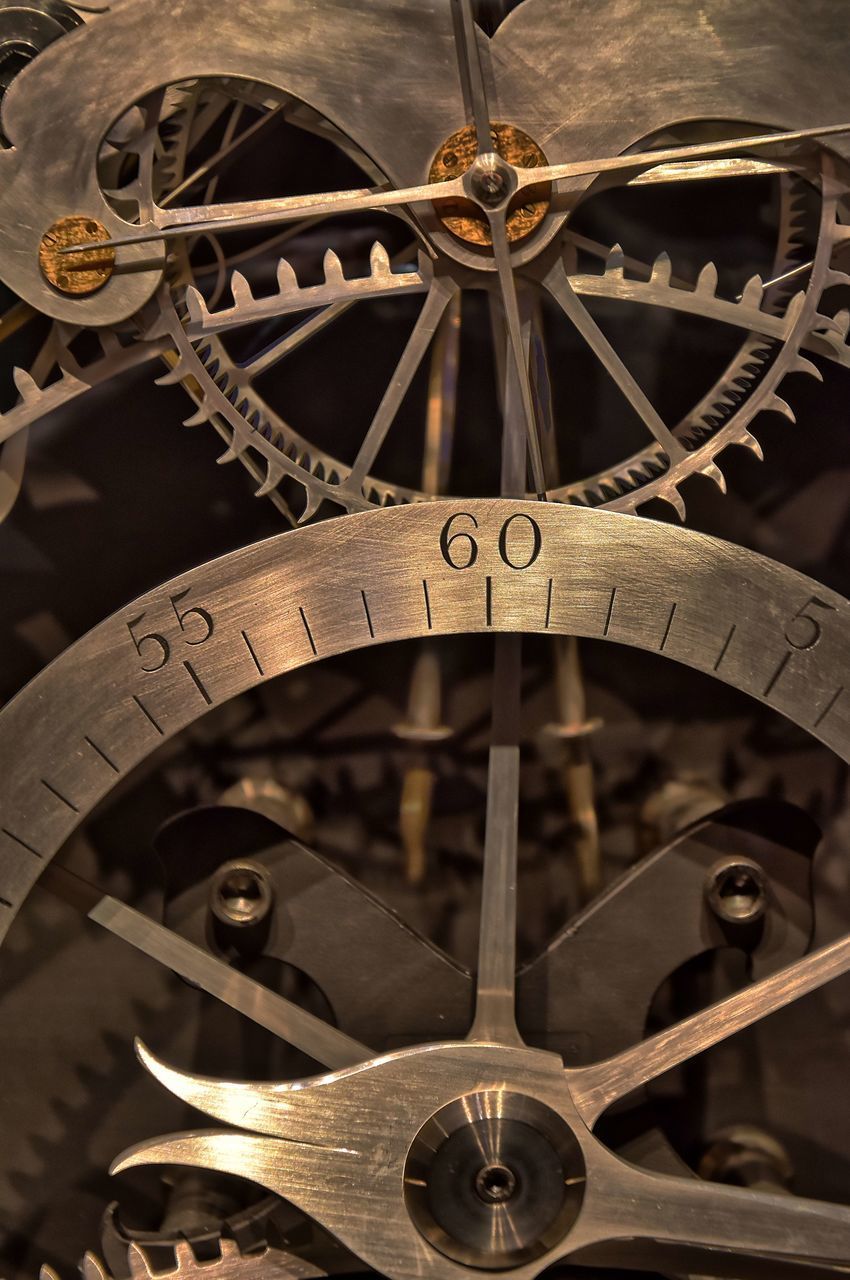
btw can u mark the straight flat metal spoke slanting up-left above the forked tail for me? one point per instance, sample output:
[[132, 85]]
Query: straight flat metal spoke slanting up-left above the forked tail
[[322, 1041]]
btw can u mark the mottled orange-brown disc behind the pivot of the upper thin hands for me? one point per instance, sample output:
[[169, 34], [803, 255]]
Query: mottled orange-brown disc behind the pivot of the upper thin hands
[[465, 220]]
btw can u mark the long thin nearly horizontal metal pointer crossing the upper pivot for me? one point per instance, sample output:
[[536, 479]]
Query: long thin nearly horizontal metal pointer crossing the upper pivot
[[193, 221]]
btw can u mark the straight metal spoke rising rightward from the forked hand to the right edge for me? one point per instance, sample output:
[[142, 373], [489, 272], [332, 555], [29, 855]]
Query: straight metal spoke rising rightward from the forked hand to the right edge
[[595, 1089]]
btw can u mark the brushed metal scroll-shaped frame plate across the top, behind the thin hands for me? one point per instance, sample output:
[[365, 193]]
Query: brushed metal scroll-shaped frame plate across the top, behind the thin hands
[[547, 71]]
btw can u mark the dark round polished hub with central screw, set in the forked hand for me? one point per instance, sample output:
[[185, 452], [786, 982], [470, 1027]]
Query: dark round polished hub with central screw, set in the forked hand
[[495, 1180]]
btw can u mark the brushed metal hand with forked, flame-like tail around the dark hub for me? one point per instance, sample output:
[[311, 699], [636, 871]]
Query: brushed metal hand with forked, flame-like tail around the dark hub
[[337, 1148]]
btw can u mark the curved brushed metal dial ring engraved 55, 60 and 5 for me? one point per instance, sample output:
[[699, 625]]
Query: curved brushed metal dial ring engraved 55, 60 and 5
[[95, 714]]
